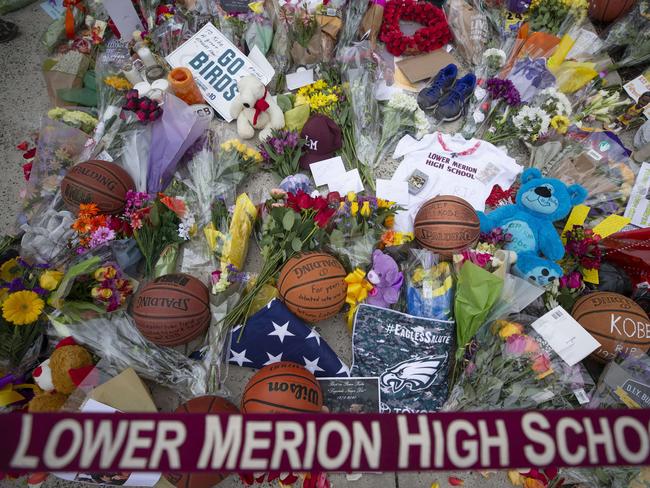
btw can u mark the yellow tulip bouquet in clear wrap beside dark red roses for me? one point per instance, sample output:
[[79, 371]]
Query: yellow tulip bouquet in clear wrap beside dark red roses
[[359, 223]]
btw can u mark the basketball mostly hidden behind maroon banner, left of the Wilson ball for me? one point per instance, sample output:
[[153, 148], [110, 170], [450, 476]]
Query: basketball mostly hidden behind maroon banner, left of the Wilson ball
[[204, 404]]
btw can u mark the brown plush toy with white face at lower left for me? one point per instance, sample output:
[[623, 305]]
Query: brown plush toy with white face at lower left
[[59, 375]]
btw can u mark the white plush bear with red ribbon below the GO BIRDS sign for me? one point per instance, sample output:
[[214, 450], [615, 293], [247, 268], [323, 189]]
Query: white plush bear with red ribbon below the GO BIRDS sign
[[255, 108]]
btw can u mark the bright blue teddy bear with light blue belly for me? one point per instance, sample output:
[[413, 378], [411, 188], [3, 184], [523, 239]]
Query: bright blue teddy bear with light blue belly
[[540, 201]]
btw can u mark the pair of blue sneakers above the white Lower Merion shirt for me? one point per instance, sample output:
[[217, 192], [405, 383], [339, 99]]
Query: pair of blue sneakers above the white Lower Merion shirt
[[447, 95]]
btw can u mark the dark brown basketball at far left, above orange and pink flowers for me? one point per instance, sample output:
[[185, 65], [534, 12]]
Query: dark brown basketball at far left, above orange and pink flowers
[[98, 182]]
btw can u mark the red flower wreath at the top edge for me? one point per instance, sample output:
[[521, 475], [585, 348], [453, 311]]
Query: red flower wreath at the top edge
[[433, 35]]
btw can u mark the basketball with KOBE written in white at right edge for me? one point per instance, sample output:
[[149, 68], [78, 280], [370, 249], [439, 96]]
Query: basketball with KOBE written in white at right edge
[[618, 323]]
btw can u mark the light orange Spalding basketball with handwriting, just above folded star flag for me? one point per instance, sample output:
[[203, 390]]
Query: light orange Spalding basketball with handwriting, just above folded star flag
[[312, 286]]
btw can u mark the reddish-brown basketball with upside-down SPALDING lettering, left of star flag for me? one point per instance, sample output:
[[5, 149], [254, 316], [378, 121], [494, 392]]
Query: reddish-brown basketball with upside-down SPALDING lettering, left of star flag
[[172, 310]]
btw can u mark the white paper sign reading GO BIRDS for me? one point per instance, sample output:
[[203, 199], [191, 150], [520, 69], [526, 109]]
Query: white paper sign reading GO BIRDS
[[216, 65]]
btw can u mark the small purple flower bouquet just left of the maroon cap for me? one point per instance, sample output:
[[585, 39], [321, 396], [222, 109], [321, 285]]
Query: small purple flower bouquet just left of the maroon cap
[[281, 152]]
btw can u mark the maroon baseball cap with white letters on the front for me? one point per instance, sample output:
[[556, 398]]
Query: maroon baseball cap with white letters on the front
[[322, 139]]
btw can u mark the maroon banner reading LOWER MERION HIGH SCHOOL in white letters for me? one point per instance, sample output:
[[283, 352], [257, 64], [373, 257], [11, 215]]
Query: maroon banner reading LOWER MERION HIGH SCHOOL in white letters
[[254, 443]]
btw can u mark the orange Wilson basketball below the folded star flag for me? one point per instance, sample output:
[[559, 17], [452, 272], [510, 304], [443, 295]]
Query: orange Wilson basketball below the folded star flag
[[283, 387]]
